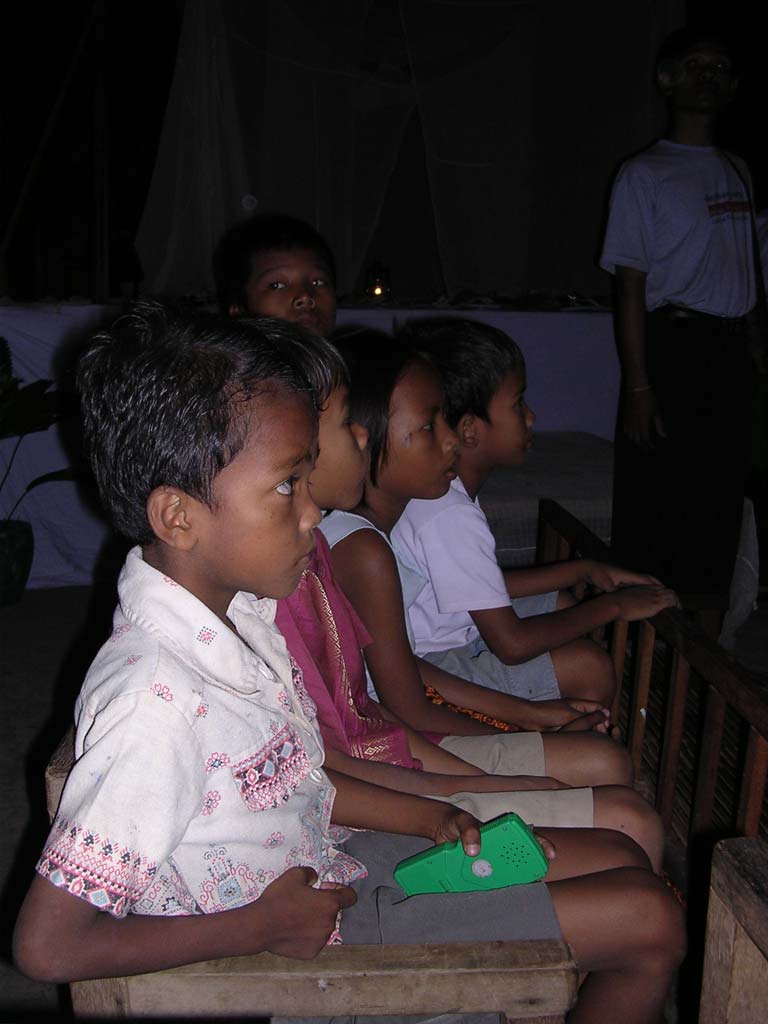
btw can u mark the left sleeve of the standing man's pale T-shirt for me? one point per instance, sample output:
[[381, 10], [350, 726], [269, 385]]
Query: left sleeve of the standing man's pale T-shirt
[[629, 235]]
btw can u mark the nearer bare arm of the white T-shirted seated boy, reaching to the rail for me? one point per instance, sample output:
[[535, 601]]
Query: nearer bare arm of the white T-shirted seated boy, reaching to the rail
[[515, 641]]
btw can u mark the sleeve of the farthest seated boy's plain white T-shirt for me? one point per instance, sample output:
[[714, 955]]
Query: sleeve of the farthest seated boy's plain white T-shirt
[[459, 553]]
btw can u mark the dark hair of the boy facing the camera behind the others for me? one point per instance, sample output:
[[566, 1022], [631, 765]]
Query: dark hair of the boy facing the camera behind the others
[[233, 259]]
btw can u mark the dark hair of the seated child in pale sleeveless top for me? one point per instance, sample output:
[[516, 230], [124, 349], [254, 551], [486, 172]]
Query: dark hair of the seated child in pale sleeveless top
[[376, 363]]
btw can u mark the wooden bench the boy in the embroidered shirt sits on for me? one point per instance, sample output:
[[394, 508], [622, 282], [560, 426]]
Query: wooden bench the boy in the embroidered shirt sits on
[[534, 982]]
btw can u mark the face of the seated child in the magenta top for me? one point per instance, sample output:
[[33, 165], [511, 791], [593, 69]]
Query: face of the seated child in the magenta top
[[339, 477]]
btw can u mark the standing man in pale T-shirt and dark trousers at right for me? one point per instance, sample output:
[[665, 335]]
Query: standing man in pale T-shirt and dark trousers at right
[[679, 244]]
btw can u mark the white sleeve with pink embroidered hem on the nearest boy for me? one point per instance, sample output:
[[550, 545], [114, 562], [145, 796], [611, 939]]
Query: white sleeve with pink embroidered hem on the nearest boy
[[127, 803]]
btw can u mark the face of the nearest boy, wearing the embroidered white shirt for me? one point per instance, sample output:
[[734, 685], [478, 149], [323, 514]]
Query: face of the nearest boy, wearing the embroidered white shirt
[[259, 535]]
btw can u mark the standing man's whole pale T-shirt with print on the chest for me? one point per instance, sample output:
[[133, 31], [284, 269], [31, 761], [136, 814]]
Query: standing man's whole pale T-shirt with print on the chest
[[681, 215]]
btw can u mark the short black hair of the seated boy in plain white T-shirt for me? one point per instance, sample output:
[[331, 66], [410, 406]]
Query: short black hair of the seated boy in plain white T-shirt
[[472, 358]]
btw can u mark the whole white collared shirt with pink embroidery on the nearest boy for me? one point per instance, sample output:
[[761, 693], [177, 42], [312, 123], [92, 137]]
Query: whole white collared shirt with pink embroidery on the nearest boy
[[198, 778]]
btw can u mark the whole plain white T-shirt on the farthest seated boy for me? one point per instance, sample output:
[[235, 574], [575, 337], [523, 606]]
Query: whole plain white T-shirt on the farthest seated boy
[[450, 543]]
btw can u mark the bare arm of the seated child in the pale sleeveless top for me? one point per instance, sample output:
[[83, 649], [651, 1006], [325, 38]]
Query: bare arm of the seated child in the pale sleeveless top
[[366, 570]]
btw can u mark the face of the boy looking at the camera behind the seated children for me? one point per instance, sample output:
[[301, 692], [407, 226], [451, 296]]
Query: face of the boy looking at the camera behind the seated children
[[293, 285]]
